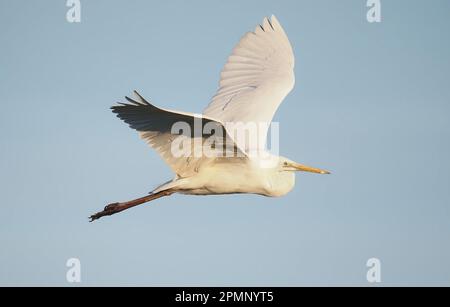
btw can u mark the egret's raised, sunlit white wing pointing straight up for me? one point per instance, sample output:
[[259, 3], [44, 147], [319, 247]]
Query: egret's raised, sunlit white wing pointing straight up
[[256, 78]]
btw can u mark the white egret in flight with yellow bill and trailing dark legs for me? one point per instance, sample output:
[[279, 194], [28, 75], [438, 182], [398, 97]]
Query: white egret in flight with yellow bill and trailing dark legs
[[258, 75]]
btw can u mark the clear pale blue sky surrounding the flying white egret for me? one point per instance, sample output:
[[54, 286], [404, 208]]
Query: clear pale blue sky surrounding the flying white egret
[[371, 104]]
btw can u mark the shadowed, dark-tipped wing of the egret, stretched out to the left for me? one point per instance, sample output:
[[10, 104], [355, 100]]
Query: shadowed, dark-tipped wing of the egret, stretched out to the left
[[158, 127]]
